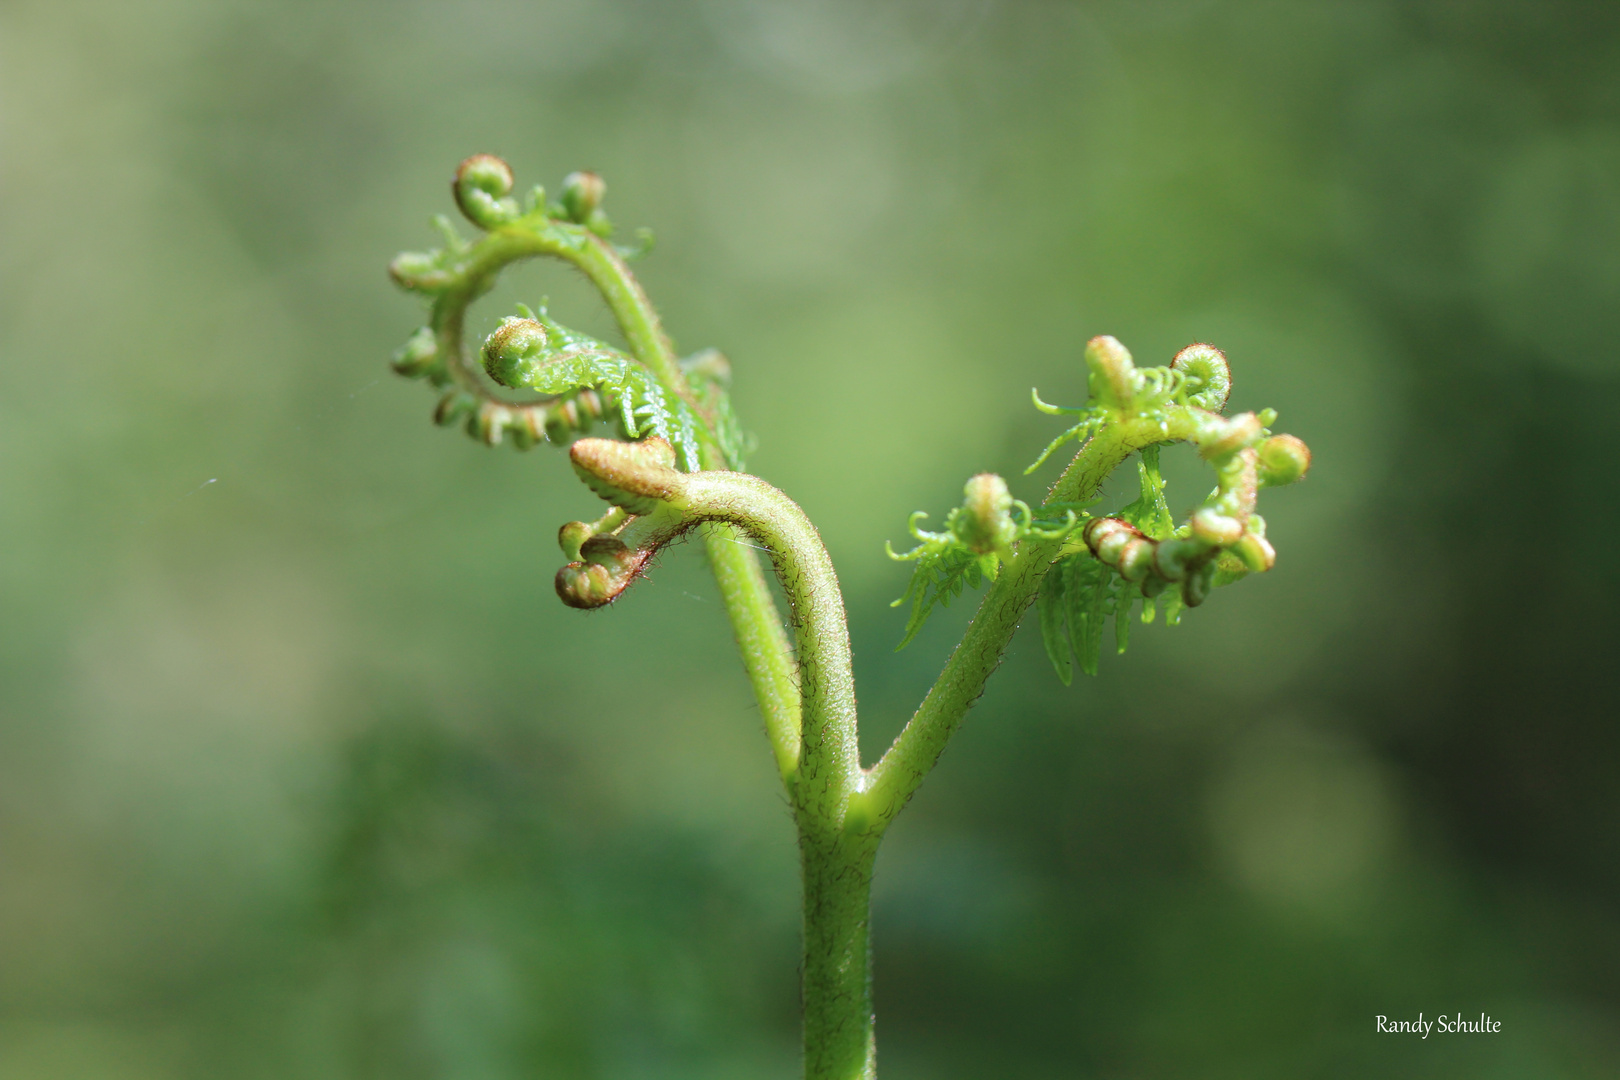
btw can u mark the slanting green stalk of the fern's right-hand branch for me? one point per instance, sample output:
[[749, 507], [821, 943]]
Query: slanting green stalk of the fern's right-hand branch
[[895, 780]]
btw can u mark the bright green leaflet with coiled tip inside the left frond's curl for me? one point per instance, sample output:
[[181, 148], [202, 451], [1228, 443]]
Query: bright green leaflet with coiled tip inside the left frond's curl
[[574, 362]]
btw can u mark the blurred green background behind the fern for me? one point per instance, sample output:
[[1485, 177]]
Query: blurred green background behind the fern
[[305, 773]]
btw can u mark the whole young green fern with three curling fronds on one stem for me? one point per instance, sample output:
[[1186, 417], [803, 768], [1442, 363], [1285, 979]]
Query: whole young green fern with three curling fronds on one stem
[[676, 417]]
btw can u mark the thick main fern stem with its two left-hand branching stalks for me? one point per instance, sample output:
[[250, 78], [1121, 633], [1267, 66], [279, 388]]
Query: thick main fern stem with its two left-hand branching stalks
[[811, 720]]
